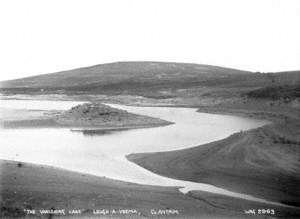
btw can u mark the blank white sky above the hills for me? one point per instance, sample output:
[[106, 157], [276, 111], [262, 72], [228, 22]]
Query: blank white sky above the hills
[[46, 36]]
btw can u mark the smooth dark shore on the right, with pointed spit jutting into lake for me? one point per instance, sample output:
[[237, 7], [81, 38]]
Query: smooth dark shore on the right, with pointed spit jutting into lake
[[263, 162]]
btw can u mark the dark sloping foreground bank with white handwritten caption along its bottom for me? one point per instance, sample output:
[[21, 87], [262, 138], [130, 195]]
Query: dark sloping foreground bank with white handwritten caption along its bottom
[[37, 187]]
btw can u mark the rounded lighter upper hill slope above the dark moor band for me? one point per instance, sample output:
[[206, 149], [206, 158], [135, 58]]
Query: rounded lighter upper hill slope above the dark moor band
[[112, 73]]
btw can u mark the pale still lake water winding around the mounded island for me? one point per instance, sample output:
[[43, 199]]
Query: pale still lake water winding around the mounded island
[[104, 154]]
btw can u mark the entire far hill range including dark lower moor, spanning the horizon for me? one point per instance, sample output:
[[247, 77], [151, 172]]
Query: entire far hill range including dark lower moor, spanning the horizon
[[150, 79]]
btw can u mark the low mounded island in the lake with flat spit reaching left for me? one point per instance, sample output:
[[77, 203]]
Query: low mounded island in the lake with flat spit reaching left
[[88, 116]]
